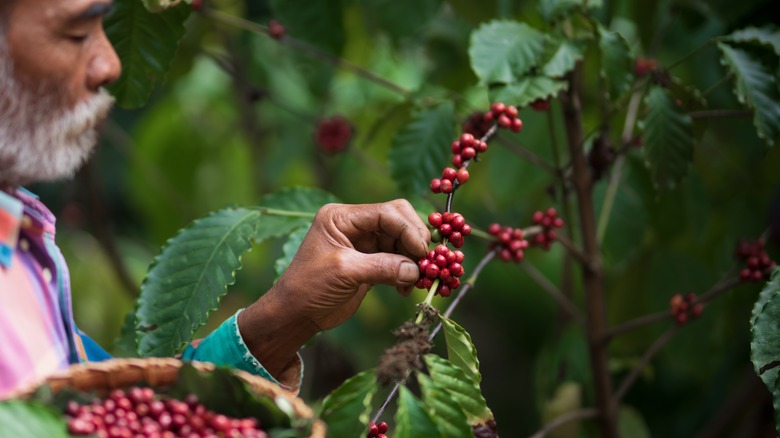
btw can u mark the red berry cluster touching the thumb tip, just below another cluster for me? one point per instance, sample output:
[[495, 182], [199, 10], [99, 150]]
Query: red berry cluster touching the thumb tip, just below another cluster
[[444, 264]]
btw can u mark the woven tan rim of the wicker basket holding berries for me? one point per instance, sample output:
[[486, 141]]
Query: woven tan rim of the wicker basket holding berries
[[157, 372]]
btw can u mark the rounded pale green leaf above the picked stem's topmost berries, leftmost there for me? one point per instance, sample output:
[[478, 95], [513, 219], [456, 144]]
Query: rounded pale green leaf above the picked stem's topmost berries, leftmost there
[[504, 51]]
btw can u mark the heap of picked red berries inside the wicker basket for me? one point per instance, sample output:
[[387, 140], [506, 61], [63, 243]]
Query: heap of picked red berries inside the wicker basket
[[139, 412]]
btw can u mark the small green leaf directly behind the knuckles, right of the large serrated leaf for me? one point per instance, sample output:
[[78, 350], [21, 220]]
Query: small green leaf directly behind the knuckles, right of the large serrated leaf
[[292, 207]]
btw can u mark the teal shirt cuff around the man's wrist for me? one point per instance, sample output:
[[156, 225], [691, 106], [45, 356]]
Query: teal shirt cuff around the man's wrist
[[225, 346]]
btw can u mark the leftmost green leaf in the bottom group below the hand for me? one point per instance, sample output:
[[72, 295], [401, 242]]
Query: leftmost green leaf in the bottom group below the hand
[[346, 409]]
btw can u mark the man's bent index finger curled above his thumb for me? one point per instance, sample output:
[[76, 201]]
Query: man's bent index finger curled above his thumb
[[396, 219]]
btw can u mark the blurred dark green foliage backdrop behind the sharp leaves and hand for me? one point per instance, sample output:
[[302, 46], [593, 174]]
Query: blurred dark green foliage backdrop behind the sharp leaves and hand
[[234, 119]]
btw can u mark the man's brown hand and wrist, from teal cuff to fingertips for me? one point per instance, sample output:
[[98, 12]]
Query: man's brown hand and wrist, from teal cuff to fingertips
[[348, 249]]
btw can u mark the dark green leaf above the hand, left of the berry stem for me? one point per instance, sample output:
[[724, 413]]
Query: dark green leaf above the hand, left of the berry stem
[[422, 148]]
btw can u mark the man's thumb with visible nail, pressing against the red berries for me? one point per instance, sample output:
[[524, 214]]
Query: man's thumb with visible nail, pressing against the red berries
[[384, 268]]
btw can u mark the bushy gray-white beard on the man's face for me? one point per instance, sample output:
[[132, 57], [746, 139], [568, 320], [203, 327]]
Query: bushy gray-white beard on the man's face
[[39, 139]]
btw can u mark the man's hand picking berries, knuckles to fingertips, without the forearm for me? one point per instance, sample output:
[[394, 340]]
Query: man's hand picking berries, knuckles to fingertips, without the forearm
[[348, 249]]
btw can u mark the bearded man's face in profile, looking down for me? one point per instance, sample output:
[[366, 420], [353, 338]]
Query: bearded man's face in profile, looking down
[[54, 61]]
